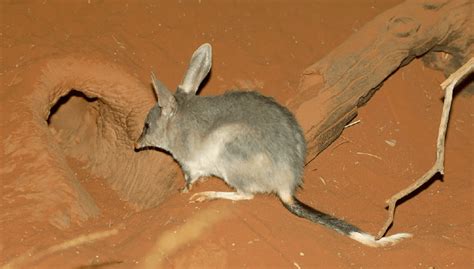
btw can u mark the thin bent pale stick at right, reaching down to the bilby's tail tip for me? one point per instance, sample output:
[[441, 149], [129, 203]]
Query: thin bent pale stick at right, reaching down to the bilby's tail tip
[[448, 85]]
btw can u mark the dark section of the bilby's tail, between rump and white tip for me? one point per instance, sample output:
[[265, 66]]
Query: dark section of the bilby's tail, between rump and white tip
[[304, 211]]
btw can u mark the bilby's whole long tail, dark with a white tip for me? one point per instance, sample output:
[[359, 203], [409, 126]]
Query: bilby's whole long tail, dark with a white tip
[[304, 211]]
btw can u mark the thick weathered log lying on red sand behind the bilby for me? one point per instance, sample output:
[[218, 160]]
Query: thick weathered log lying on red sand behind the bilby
[[332, 89]]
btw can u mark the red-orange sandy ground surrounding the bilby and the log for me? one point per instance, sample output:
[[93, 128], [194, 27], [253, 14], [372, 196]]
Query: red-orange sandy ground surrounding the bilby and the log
[[265, 46]]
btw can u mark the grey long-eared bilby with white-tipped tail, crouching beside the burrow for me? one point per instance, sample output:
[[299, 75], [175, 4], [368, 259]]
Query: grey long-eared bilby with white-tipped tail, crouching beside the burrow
[[250, 141]]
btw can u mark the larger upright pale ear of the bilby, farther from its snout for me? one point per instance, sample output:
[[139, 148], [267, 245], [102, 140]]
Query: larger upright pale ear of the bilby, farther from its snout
[[198, 69]]
